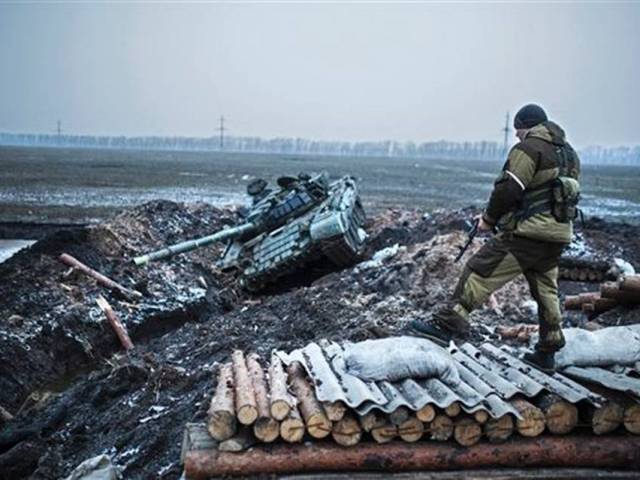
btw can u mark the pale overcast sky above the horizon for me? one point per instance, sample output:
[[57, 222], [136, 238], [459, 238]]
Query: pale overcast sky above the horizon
[[418, 71]]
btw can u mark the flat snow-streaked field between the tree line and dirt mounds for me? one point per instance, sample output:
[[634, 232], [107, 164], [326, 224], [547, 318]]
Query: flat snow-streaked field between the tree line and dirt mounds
[[54, 185]]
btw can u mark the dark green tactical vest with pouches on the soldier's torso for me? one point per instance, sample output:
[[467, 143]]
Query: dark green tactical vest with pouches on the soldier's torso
[[559, 196]]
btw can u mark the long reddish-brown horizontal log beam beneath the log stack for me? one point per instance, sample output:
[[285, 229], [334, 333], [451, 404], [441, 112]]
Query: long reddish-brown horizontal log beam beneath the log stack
[[547, 451]]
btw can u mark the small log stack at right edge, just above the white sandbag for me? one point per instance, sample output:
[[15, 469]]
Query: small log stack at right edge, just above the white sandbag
[[625, 291]]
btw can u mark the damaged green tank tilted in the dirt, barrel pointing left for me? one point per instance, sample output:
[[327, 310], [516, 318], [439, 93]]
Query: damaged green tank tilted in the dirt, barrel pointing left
[[304, 220]]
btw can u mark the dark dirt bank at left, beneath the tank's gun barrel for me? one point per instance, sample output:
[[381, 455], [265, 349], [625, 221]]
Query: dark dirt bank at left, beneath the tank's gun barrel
[[50, 323]]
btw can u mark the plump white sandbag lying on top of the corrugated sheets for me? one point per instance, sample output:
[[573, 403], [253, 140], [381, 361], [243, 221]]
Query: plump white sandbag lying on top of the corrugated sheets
[[396, 358]]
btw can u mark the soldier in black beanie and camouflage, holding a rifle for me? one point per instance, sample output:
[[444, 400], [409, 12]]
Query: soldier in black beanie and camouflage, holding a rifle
[[533, 205]]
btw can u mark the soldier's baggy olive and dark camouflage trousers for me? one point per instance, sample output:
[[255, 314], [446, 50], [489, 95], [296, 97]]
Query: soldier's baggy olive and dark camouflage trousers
[[499, 261]]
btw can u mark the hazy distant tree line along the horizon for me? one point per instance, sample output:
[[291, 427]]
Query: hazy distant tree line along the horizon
[[483, 150]]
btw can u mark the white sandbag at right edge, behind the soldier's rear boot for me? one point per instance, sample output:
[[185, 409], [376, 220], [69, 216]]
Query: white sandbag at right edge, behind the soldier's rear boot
[[601, 348]]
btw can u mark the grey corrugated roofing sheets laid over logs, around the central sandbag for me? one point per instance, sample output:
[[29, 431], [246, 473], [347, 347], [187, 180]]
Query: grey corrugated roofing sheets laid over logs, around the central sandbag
[[489, 378]]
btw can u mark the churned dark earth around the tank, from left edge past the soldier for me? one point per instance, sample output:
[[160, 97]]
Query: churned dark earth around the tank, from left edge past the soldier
[[75, 396]]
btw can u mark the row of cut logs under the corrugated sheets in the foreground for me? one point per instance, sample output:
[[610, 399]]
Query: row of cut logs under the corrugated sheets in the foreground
[[259, 404]]
